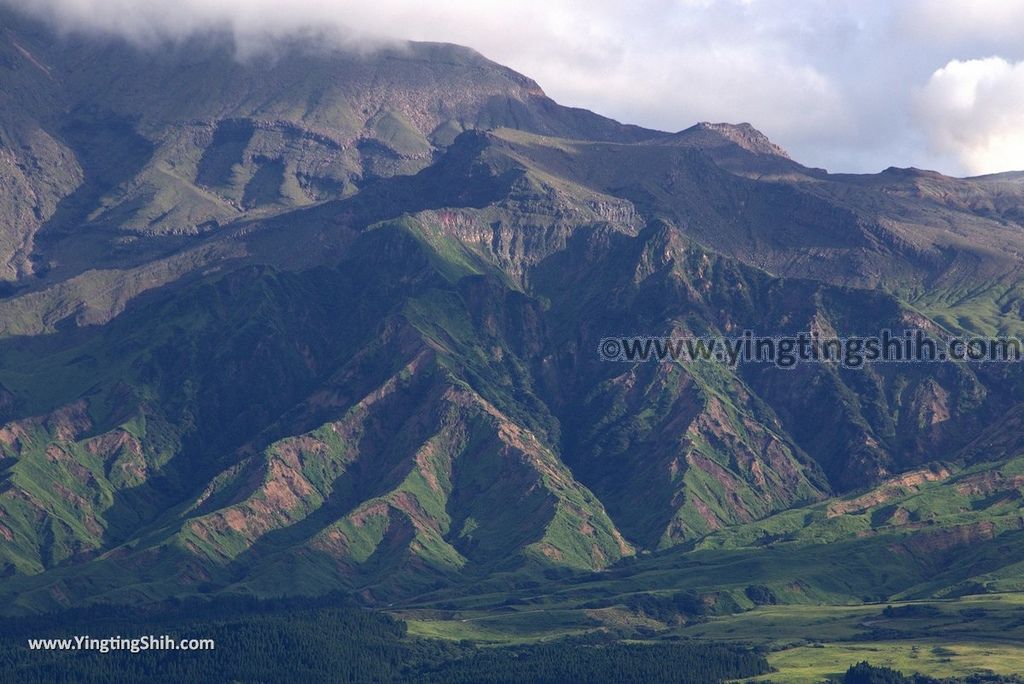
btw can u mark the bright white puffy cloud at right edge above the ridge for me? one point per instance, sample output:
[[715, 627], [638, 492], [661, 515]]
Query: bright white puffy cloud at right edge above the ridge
[[975, 111]]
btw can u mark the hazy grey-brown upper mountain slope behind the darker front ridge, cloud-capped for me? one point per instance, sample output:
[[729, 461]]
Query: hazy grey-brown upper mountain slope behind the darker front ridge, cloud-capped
[[180, 140]]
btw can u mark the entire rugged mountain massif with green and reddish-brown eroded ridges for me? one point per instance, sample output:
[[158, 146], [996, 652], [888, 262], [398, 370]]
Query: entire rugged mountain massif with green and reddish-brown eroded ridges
[[321, 321]]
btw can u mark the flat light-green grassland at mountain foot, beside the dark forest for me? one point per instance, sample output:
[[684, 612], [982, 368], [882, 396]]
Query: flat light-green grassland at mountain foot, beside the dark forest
[[805, 644]]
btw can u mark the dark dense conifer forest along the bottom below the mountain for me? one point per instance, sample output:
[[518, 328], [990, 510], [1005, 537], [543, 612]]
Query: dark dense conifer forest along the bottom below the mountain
[[329, 639]]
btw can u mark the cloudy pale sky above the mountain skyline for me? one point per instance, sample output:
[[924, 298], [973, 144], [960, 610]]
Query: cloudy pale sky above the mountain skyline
[[848, 85]]
